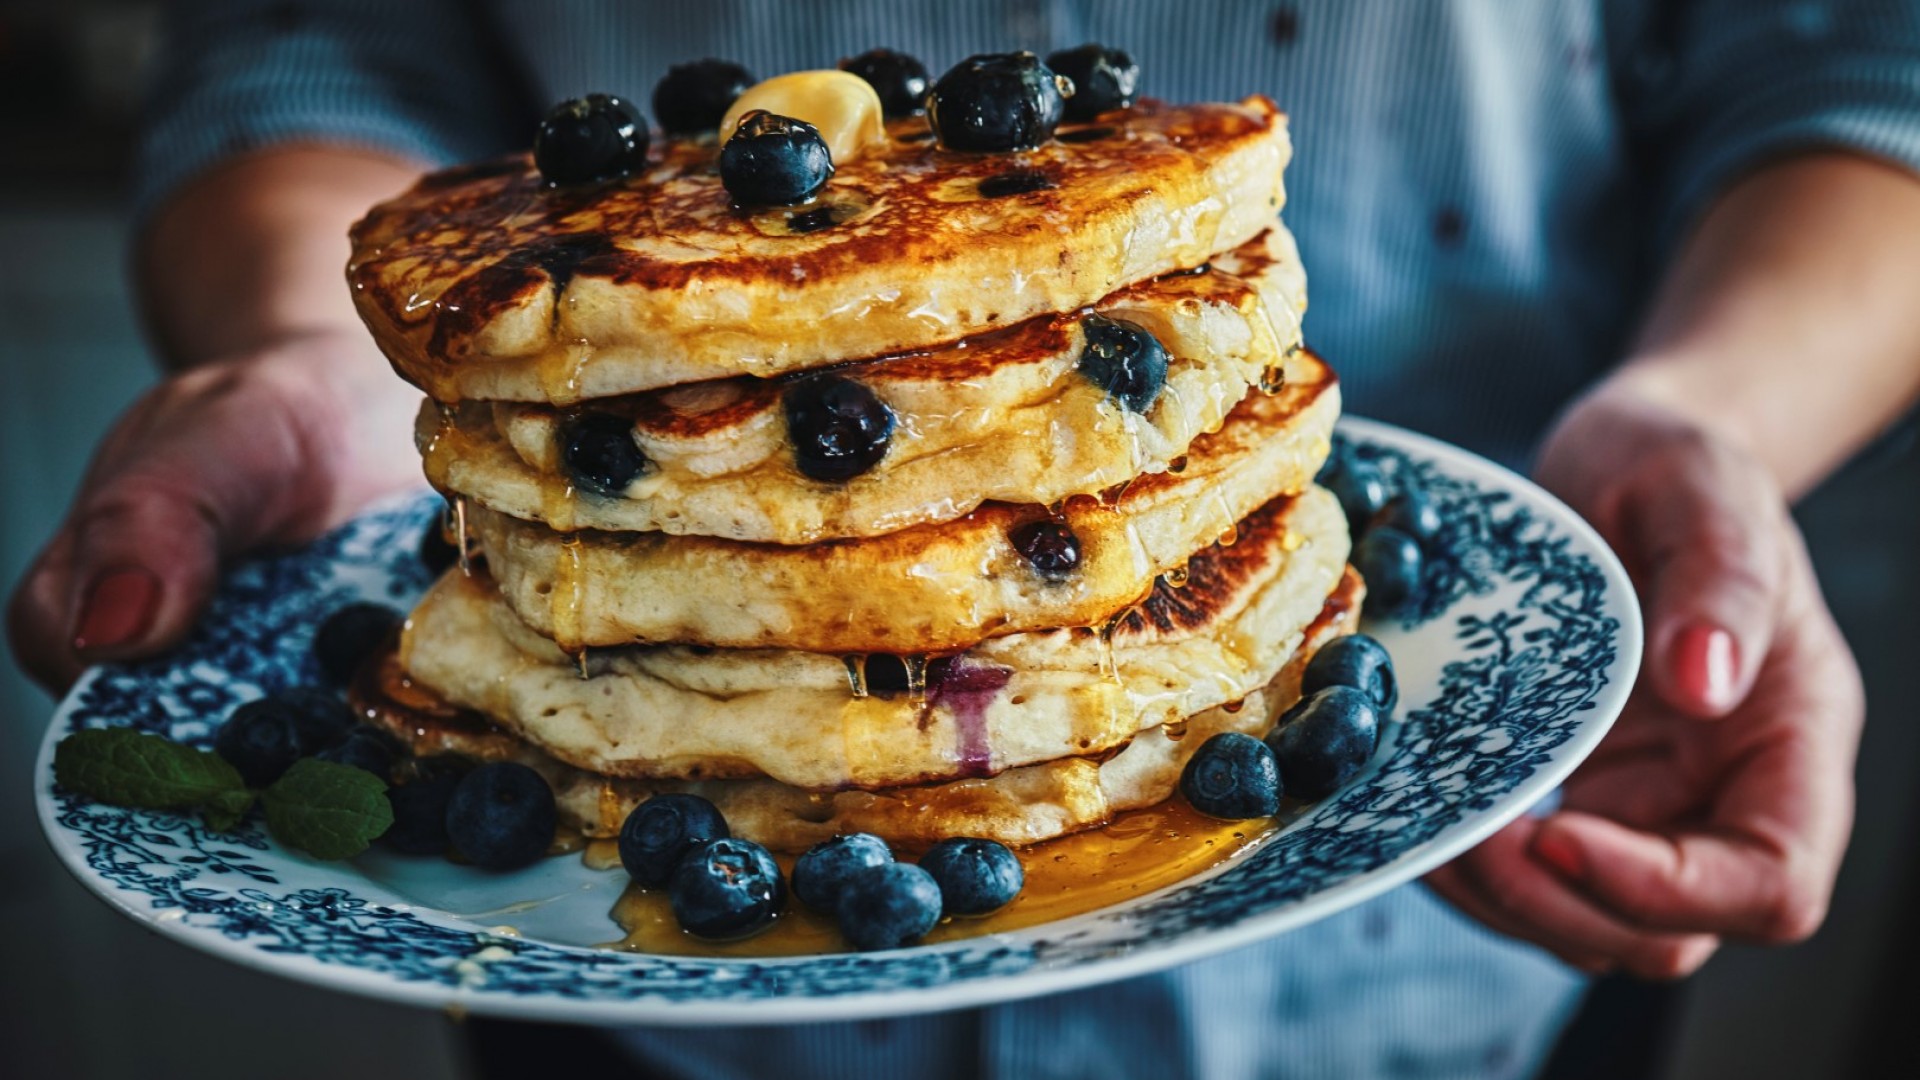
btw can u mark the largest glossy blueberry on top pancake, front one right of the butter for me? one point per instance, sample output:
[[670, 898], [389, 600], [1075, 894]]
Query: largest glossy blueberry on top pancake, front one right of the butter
[[992, 103]]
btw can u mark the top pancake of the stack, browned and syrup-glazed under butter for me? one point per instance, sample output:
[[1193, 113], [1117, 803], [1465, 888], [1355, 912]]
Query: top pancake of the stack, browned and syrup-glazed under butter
[[485, 283]]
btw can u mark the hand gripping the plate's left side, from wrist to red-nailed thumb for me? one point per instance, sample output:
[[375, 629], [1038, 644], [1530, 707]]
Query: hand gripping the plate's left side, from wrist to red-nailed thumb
[[272, 447]]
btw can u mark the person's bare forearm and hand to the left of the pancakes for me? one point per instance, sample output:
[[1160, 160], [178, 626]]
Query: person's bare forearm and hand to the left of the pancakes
[[283, 418]]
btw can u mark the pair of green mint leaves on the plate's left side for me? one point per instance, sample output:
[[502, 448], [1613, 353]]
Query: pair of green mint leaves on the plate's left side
[[322, 808]]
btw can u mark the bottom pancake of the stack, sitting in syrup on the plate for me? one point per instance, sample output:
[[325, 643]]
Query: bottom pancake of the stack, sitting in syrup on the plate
[[1020, 806]]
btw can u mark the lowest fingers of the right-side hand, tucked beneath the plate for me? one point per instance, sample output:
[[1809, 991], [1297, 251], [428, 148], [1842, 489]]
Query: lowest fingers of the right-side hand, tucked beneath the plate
[[1510, 889]]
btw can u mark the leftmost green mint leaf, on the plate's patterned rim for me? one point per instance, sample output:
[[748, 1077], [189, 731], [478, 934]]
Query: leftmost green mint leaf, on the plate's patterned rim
[[135, 770]]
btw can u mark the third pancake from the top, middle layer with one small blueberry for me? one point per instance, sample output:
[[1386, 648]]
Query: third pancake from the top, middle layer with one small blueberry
[[926, 589]]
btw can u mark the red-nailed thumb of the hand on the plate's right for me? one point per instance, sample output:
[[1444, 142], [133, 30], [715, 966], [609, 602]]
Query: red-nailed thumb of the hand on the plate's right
[[1710, 533]]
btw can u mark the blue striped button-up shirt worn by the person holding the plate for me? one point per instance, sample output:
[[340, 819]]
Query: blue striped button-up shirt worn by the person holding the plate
[[1483, 191]]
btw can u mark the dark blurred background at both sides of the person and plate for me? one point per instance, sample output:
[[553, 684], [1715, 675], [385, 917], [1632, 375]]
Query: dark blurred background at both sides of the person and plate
[[87, 994]]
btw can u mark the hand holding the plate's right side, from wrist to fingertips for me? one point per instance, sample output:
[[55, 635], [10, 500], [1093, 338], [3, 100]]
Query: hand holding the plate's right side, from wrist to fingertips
[[1721, 802]]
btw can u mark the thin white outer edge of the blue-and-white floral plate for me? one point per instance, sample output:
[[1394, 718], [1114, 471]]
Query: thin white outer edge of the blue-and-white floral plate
[[972, 993]]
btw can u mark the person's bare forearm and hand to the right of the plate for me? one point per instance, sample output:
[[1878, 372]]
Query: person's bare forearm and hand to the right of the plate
[[1783, 339]]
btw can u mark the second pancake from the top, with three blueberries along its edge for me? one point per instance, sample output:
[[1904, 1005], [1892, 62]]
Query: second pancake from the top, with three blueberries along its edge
[[999, 418]]
